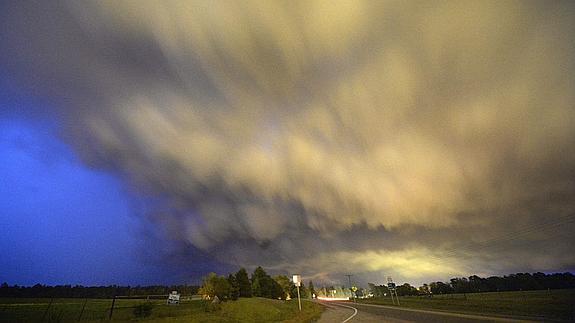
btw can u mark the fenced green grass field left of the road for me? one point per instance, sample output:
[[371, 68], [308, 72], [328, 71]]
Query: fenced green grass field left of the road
[[70, 310]]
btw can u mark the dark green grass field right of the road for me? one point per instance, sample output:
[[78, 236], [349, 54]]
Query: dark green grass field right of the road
[[554, 304]]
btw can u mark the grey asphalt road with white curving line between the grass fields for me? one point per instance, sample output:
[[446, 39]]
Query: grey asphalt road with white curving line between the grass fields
[[354, 312]]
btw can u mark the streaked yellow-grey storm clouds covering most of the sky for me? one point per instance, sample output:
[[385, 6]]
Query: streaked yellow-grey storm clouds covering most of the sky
[[418, 140]]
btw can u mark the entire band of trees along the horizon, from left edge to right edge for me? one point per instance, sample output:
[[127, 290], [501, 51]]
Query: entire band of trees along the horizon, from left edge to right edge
[[260, 284]]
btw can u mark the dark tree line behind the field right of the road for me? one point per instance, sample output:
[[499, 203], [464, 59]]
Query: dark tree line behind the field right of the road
[[476, 284]]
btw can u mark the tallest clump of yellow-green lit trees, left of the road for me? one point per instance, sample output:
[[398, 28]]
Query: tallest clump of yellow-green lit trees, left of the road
[[260, 284]]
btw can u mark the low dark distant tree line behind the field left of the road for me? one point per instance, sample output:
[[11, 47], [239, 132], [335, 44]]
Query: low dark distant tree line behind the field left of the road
[[79, 291]]
